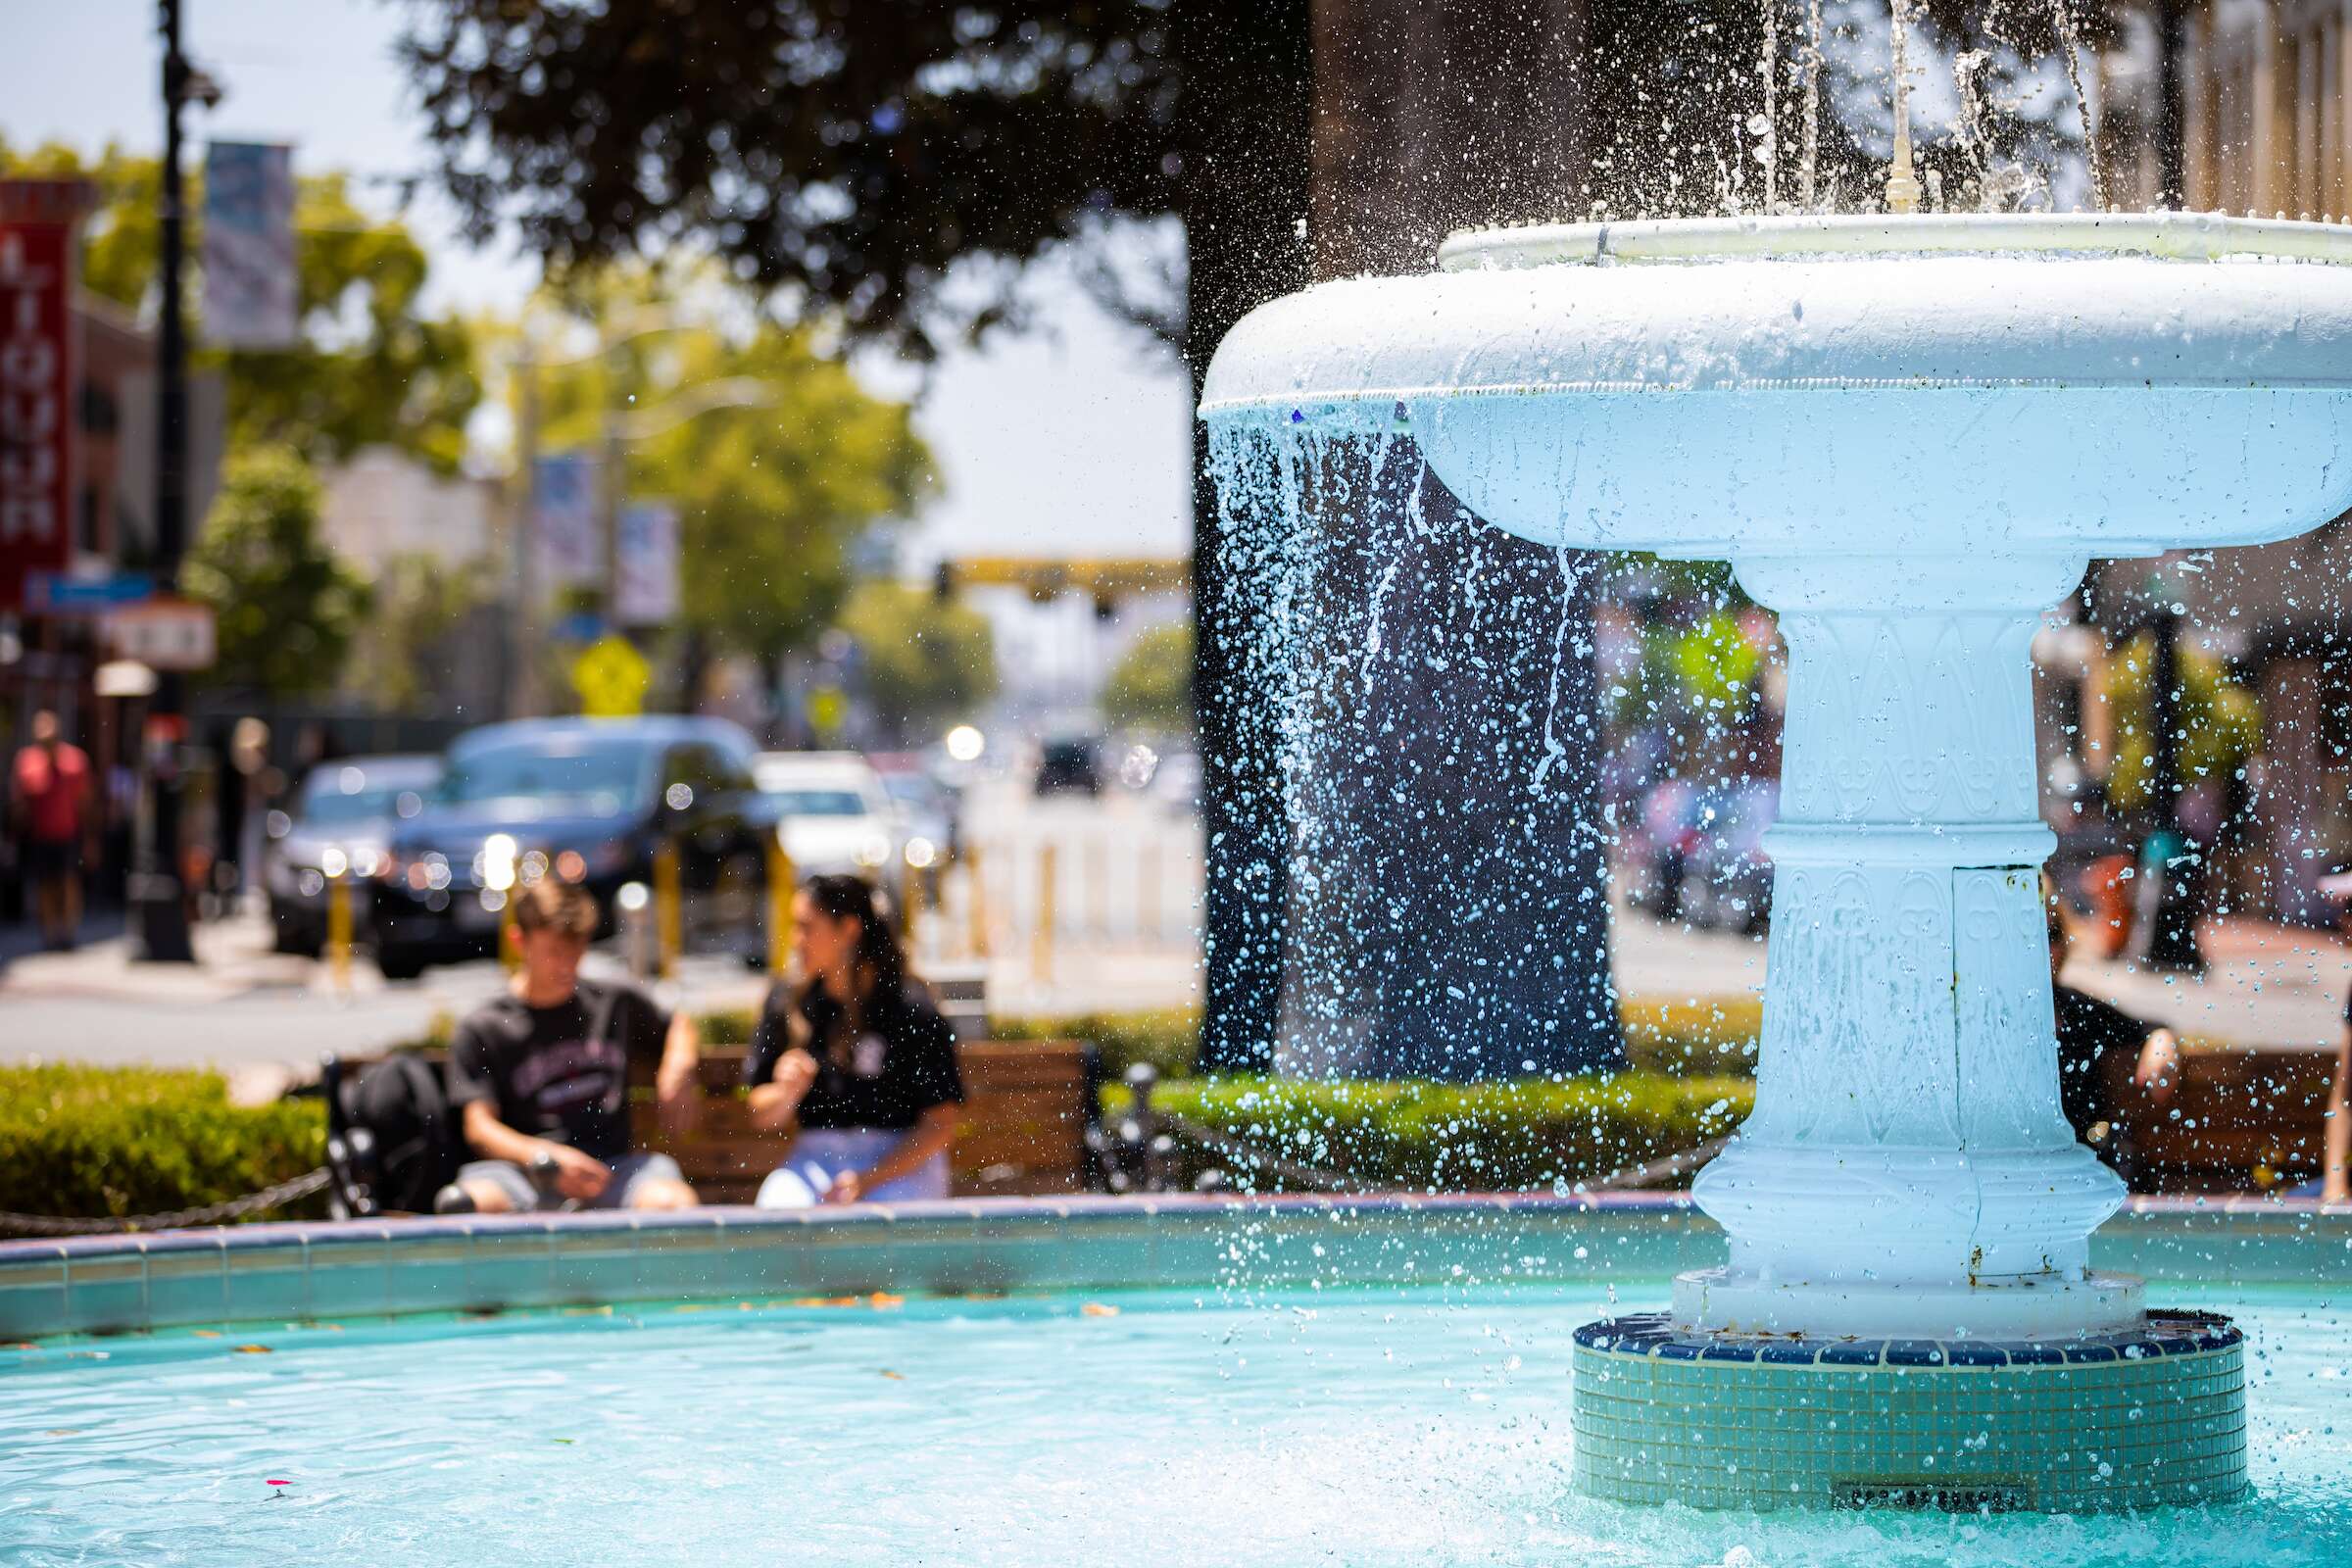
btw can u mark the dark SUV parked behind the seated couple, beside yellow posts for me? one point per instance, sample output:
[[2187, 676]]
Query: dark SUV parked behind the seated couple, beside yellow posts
[[587, 800]]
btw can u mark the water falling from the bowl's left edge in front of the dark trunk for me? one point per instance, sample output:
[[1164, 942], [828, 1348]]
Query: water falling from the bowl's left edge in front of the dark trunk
[[1445, 909]]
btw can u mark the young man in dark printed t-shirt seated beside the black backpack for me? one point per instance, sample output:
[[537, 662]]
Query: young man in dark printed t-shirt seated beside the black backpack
[[540, 1078]]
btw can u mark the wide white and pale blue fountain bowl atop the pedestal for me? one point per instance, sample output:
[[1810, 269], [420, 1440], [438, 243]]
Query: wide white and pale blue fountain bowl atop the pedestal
[[1777, 398]]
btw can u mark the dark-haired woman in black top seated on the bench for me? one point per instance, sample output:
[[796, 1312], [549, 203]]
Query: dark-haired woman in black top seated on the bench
[[855, 1061]]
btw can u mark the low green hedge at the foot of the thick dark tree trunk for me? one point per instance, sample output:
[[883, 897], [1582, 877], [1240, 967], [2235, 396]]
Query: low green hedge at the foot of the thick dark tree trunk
[[1530, 1134]]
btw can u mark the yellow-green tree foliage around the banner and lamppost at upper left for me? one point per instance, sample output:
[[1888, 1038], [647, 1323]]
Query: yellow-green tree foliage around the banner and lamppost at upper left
[[373, 370]]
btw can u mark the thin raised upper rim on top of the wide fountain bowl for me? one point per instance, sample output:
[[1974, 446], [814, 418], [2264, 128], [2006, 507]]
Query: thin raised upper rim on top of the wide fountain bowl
[[2167, 236]]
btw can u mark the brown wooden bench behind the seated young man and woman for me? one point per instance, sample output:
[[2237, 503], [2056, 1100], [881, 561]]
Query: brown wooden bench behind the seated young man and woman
[[1022, 1134]]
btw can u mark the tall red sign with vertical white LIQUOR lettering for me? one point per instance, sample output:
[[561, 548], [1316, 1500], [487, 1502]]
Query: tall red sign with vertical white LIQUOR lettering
[[36, 380]]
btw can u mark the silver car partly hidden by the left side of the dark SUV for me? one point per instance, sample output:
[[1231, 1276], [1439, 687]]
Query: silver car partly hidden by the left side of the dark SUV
[[338, 824]]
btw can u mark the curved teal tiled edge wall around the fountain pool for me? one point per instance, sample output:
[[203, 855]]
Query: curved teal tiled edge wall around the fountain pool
[[316, 1273]]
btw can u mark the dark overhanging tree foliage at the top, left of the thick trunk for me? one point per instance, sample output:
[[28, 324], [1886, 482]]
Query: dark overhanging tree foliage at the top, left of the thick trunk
[[841, 154]]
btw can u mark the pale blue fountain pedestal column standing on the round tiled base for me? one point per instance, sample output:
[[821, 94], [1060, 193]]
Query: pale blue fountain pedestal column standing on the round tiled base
[[1909, 1170]]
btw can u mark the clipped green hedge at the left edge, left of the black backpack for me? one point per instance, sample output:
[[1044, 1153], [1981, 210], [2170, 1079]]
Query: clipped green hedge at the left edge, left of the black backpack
[[128, 1141]]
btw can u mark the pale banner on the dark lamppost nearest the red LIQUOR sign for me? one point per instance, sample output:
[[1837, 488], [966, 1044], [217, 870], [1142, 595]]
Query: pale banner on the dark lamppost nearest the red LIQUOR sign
[[253, 295]]
